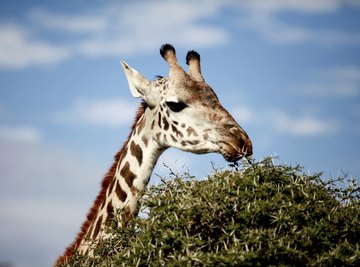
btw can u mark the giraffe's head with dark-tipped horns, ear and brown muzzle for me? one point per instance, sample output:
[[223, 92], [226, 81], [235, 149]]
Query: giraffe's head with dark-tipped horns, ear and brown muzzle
[[185, 112]]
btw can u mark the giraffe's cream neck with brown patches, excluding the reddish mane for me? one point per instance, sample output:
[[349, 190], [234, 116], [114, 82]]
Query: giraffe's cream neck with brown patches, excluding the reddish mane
[[133, 171]]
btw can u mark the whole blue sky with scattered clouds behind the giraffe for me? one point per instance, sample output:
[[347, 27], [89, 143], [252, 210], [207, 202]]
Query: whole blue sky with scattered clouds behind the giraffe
[[288, 71]]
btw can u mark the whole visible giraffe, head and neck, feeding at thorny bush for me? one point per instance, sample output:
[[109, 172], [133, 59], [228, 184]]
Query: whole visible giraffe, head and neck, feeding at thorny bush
[[180, 111]]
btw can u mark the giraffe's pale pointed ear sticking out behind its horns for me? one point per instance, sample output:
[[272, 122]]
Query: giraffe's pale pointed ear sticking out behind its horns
[[139, 86]]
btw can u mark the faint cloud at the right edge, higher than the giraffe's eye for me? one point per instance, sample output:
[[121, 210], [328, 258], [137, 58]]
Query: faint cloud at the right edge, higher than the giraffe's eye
[[336, 82]]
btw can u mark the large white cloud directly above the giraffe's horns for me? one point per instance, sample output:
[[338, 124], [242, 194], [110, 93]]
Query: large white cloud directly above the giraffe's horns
[[144, 26]]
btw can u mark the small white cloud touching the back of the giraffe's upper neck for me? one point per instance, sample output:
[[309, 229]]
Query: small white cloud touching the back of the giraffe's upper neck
[[108, 113]]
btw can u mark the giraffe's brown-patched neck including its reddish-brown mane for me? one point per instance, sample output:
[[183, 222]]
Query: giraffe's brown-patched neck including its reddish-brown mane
[[128, 175]]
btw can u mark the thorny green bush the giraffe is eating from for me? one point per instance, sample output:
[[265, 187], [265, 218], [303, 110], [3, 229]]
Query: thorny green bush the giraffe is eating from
[[261, 215]]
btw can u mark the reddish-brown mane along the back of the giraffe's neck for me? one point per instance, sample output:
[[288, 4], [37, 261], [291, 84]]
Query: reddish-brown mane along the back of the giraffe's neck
[[100, 197]]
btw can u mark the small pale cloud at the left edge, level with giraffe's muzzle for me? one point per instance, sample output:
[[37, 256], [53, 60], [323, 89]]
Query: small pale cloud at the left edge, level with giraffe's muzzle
[[22, 134]]
